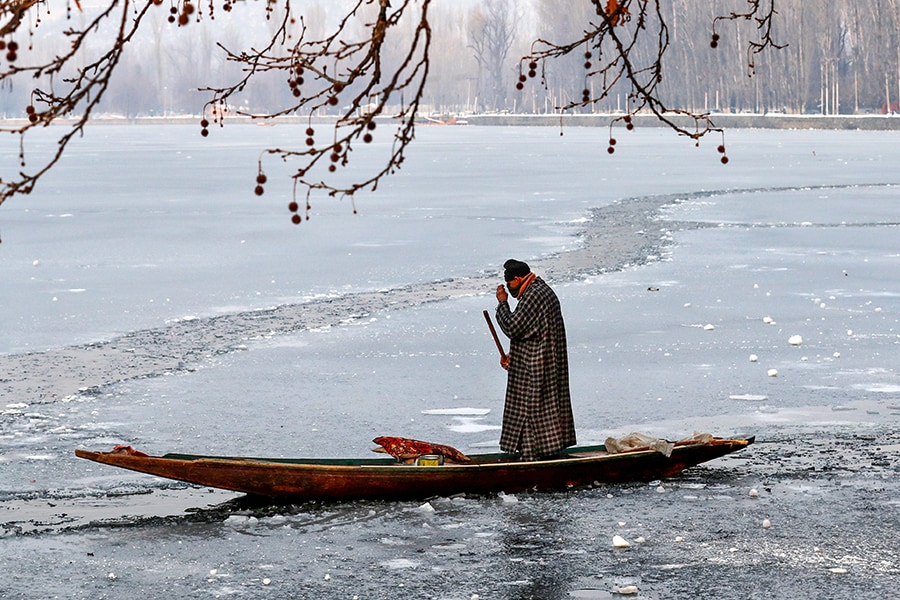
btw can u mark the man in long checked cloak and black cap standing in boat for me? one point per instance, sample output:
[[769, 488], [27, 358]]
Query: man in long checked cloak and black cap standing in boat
[[537, 415]]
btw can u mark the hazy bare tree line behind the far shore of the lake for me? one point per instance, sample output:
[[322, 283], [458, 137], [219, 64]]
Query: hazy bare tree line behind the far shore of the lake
[[840, 57]]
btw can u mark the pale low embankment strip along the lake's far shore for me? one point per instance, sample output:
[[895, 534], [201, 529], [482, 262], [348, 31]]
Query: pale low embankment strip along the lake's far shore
[[867, 122]]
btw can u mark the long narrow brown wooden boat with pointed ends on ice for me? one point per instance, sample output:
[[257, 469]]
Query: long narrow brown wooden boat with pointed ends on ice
[[284, 479]]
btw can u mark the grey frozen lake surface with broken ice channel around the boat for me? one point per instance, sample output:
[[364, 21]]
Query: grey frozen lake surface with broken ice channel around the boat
[[150, 299]]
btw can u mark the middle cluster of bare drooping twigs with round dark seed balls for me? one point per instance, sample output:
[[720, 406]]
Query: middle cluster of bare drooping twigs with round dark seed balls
[[339, 70]]
